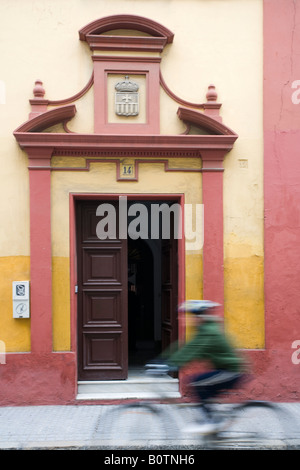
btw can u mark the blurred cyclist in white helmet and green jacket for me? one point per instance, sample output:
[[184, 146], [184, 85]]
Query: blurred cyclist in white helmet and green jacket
[[208, 344]]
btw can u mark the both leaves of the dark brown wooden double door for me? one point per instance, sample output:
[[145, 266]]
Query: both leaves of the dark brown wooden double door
[[103, 268]]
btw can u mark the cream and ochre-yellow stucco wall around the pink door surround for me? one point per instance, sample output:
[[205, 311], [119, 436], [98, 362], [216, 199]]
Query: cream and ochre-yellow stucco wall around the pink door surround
[[216, 42]]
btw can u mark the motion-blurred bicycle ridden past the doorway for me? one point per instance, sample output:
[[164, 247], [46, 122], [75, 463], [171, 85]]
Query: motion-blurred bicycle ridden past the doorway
[[160, 421]]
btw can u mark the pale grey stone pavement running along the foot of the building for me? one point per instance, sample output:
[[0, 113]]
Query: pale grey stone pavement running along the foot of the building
[[95, 427]]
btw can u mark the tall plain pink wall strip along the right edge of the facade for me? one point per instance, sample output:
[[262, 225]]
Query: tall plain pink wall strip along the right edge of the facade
[[280, 368]]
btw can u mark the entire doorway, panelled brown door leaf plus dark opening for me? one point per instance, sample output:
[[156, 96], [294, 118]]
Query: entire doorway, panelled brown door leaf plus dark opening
[[127, 292]]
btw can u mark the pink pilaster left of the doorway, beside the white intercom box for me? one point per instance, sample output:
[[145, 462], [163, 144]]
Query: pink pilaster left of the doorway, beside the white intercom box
[[40, 249]]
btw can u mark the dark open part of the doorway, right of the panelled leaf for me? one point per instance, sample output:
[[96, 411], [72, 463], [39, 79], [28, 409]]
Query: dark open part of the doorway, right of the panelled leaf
[[152, 286]]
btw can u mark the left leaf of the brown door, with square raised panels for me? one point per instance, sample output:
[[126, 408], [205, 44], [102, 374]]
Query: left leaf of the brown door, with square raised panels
[[102, 299]]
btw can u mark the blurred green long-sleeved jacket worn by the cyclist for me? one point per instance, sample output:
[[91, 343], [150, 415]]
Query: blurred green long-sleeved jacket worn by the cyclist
[[209, 344]]
